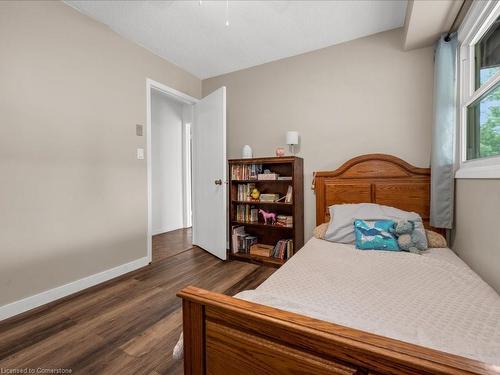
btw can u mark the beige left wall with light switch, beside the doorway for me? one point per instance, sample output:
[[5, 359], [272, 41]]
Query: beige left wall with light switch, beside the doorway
[[73, 196]]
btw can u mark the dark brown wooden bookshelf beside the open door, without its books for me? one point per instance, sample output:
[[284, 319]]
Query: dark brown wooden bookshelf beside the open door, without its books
[[266, 233]]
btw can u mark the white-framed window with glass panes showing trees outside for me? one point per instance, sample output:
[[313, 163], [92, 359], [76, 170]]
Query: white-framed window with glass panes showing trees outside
[[479, 67]]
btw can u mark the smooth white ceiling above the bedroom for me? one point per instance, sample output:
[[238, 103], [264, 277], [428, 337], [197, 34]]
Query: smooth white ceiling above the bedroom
[[195, 36]]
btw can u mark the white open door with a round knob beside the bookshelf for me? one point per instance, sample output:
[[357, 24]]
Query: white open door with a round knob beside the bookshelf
[[209, 174]]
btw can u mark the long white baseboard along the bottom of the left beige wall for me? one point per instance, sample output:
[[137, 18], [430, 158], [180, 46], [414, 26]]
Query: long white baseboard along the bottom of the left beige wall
[[51, 295]]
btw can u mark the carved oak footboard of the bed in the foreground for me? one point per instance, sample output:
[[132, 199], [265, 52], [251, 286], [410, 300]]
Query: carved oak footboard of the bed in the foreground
[[226, 335]]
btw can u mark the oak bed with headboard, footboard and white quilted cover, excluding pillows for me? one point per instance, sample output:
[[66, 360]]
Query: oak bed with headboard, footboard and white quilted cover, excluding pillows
[[352, 312]]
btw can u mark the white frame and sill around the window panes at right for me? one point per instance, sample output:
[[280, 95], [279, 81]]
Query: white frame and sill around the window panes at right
[[480, 17]]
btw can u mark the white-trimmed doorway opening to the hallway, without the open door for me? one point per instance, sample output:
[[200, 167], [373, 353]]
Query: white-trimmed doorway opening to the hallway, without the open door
[[169, 119]]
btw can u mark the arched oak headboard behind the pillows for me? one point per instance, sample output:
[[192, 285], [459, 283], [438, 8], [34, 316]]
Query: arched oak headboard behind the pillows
[[374, 178]]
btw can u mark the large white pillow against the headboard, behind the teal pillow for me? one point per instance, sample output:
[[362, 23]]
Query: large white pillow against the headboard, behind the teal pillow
[[341, 226]]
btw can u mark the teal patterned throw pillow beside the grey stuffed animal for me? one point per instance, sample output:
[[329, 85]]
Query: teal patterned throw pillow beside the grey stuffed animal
[[375, 235]]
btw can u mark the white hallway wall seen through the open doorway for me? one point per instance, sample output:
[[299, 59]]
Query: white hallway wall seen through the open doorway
[[166, 163]]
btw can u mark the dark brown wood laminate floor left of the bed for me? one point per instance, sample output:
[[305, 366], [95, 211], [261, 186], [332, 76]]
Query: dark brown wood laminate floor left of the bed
[[126, 326]]
